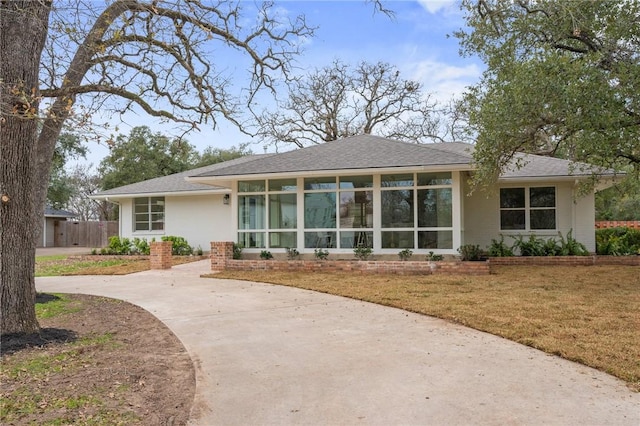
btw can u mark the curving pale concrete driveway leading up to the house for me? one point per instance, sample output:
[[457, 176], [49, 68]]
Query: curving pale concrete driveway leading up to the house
[[273, 355]]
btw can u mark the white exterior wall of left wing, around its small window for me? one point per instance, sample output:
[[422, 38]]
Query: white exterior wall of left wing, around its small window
[[199, 219]]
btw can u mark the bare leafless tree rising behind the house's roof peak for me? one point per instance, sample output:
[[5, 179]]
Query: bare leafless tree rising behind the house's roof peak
[[338, 101]]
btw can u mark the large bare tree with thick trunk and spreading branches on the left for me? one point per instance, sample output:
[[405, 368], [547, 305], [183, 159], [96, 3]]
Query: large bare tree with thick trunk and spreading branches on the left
[[60, 63]]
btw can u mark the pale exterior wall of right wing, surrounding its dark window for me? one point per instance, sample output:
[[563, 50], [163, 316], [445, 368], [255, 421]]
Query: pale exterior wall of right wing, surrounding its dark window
[[482, 216]]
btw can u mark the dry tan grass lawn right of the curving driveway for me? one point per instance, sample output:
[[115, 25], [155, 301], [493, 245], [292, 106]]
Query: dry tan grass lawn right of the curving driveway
[[586, 314]]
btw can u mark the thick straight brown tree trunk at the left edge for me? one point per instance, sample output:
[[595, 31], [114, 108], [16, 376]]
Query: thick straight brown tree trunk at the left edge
[[23, 29]]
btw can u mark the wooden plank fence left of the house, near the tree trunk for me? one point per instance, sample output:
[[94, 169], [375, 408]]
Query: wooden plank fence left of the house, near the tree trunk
[[84, 234]]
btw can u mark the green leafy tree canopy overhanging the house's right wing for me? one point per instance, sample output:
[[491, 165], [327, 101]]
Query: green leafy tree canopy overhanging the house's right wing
[[562, 79]]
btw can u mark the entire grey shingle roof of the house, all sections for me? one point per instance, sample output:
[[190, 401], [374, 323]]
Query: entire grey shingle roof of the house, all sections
[[353, 153]]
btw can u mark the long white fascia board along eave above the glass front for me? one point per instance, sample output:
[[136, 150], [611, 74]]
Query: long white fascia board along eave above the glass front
[[342, 172]]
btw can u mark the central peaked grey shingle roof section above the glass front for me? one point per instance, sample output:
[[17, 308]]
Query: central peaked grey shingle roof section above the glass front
[[356, 152]]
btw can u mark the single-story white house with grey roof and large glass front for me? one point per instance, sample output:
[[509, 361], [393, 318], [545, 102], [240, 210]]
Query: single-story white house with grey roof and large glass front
[[359, 191]]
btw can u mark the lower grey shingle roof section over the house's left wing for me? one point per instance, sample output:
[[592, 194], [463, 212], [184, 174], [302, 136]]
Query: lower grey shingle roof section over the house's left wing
[[175, 182]]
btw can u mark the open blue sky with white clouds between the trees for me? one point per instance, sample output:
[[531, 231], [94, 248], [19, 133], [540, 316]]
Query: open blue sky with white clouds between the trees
[[415, 41]]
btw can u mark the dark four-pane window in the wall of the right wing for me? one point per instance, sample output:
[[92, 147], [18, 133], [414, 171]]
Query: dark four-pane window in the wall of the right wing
[[531, 208]]
